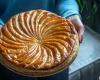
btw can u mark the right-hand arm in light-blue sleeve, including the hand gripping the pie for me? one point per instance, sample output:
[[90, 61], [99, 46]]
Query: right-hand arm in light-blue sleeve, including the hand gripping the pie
[[69, 9]]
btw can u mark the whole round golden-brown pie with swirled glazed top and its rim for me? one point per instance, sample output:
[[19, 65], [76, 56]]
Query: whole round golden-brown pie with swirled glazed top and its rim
[[38, 43]]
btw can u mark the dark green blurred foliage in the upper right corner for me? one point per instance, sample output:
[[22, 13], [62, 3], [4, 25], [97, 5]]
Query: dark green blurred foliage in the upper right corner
[[90, 13]]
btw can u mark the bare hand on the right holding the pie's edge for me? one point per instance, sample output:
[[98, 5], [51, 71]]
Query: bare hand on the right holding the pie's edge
[[78, 26]]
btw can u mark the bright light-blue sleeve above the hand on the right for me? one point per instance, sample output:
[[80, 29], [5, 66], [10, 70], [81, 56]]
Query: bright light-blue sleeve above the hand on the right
[[66, 8]]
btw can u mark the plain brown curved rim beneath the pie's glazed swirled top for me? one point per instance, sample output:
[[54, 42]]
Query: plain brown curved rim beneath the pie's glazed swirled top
[[38, 73]]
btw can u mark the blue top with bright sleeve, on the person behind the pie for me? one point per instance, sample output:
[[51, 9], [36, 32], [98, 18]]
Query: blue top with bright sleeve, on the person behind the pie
[[63, 8]]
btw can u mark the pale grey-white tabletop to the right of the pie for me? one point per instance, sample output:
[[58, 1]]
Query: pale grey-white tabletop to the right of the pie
[[89, 51]]
